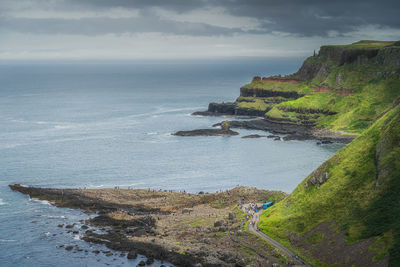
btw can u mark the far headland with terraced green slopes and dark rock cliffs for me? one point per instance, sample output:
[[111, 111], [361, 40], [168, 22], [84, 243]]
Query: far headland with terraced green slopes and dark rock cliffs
[[343, 88]]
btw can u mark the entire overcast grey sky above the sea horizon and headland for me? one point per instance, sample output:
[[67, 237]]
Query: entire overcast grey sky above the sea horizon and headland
[[187, 29]]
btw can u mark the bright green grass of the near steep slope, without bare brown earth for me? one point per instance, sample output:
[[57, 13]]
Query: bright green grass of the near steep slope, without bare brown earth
[[350, 196]]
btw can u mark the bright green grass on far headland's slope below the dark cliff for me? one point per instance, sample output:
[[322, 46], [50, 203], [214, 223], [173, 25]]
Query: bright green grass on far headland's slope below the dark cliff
[[371, 95]]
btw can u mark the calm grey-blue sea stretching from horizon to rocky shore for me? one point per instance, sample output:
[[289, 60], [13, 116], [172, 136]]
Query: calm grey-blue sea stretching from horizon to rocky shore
[[105, 124]]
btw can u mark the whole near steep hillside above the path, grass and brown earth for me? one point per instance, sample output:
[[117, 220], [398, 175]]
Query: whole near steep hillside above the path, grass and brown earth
[[346, 212]]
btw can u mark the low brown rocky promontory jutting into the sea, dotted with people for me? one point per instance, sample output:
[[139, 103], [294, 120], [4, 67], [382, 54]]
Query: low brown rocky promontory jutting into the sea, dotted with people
[[185, 229]]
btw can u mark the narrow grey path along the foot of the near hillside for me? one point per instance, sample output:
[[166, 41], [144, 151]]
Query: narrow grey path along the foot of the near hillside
[[254, 229]]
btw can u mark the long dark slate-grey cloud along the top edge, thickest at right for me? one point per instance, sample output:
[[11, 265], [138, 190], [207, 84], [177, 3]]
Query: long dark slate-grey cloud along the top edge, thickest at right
[[302, 17]]
